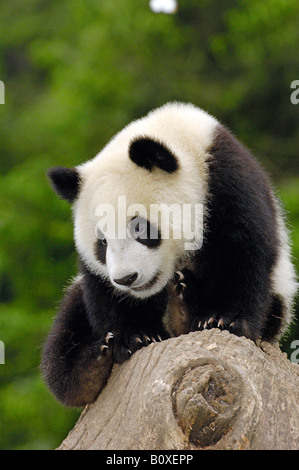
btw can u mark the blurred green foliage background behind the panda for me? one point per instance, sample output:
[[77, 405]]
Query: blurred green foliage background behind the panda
[[76, 72]]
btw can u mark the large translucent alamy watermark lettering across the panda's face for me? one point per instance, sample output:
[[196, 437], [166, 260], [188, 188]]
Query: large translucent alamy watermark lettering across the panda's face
[[178, 221]]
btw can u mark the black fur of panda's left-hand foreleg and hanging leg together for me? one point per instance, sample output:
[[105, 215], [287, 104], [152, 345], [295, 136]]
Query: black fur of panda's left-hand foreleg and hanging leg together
[[74, 364]]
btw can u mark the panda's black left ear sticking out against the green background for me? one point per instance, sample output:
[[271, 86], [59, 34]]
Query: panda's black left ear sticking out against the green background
[[65, 182]]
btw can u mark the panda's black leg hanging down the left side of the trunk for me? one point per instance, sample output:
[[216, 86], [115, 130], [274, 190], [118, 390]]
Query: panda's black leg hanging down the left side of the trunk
[[75, 364]]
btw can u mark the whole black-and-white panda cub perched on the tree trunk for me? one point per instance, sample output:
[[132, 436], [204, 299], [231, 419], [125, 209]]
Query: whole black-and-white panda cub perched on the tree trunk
[[139, 281]]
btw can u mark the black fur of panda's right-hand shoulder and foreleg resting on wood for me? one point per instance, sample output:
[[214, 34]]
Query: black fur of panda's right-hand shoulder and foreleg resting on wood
[[230, 282]]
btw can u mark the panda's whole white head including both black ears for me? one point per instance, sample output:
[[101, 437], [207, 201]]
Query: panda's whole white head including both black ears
[[123, 229]]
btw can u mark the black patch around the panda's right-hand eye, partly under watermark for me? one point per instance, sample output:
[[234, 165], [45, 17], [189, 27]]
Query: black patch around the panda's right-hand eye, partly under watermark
[[144, 232]]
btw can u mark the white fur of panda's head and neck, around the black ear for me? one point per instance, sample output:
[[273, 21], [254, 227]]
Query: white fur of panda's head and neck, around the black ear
[[188, 132]]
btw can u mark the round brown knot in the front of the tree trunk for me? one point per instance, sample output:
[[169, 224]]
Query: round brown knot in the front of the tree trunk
[[206, 400]]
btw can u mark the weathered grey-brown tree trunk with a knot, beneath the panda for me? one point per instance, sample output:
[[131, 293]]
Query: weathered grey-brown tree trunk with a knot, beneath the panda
[[204, 390]]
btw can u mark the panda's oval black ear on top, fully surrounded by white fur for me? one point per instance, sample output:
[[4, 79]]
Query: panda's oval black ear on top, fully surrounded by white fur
[[149, 153]]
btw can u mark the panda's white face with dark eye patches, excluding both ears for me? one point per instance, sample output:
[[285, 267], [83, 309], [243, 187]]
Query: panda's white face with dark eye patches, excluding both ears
[[142, 261]]
